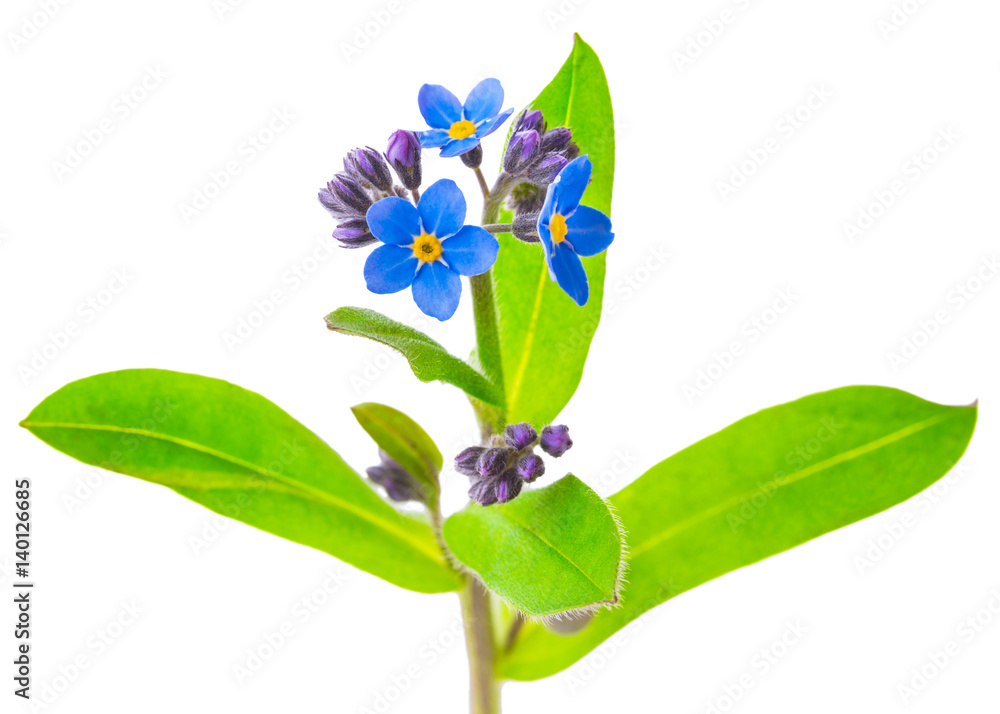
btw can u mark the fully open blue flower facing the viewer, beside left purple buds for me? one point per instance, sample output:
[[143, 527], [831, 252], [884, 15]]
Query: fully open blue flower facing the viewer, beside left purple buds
[[427, 246]]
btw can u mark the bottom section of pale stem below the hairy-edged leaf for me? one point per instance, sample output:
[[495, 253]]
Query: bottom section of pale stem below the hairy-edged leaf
[[484, 688]]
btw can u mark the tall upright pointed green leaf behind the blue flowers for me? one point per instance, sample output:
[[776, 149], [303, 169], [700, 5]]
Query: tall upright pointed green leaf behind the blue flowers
[[546, 336]]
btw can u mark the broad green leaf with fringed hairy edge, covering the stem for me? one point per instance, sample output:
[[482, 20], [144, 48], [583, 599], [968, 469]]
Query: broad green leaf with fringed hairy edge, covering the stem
[[548, 551]]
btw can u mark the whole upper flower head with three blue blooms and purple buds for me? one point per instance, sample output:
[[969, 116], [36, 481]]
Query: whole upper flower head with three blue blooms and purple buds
[[425, 244]]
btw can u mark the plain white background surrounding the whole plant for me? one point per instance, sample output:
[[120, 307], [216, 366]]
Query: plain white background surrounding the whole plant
[[680, 132]]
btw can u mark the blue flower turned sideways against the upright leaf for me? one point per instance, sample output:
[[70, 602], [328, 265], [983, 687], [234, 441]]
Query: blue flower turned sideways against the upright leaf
[[569, 230]]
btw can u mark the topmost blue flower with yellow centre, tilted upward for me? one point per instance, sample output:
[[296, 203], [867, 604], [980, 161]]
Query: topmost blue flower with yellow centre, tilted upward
[[457, 128]]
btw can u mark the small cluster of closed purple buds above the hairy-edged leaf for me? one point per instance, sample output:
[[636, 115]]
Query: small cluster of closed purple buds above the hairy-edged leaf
[[498, 472]]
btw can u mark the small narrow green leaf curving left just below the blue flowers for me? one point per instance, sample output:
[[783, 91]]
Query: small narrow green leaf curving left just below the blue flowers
[[428, 359]]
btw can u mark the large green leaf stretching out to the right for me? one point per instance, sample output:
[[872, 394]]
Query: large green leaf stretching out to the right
[[767, 483]]
